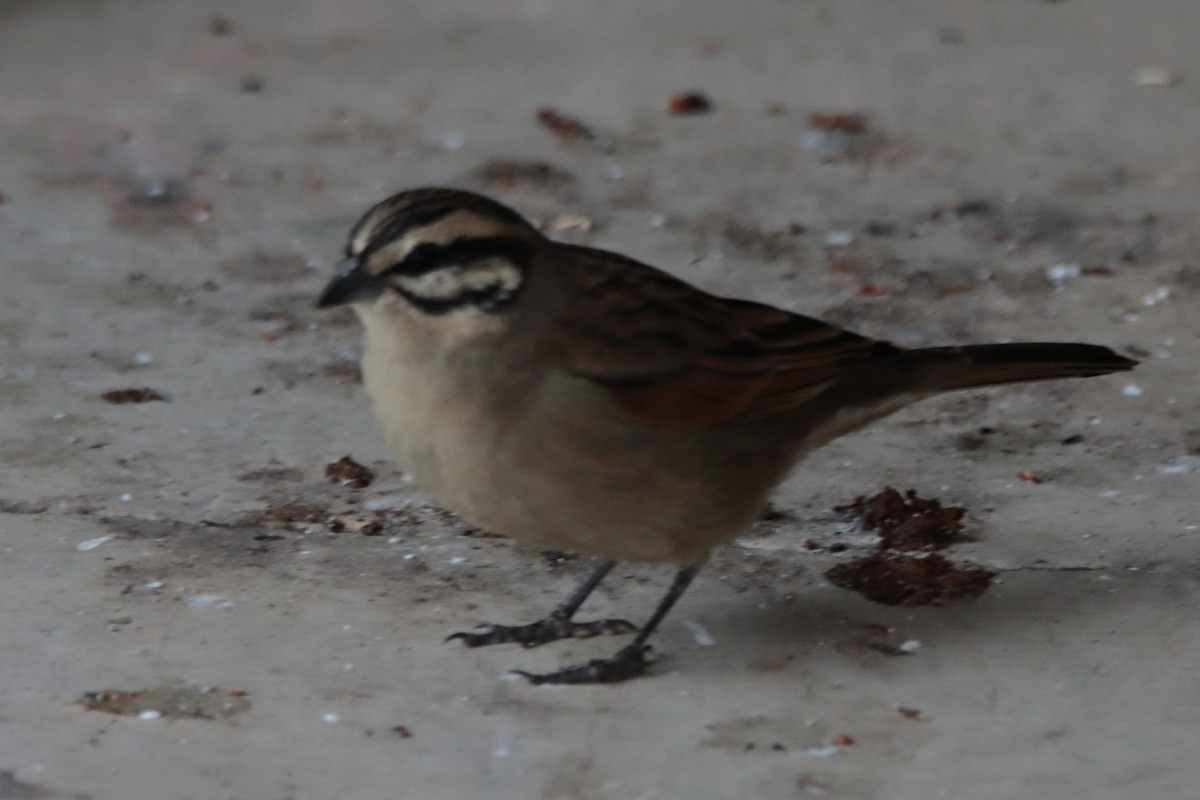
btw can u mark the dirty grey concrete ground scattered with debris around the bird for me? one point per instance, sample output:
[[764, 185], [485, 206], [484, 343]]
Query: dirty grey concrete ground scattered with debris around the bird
[[181, 618]]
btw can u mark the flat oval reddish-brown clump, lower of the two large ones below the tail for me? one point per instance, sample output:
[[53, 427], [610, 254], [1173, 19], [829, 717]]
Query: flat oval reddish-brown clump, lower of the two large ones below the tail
[[899, 580]]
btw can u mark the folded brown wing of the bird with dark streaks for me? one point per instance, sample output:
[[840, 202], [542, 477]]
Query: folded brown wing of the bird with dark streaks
[[670, 353]]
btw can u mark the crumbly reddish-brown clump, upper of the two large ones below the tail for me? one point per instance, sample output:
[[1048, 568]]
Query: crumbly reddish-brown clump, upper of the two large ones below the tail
[[908, 522]]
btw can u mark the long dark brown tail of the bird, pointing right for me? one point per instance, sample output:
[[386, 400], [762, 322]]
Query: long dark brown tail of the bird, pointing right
[[987, 365]]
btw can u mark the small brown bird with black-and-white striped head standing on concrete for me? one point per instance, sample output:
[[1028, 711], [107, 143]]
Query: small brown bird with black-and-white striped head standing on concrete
[[578, 400]]
